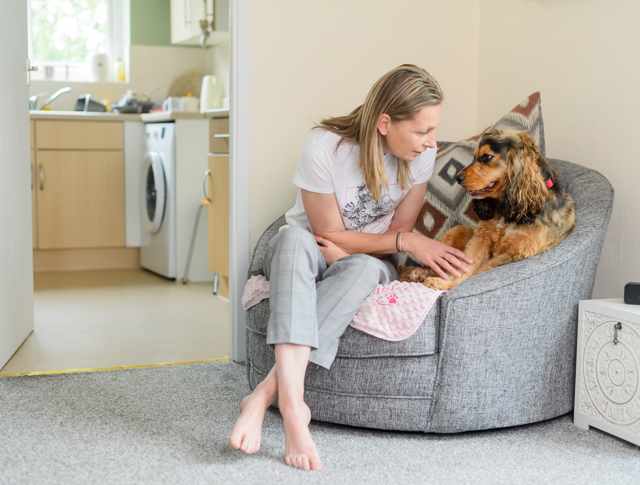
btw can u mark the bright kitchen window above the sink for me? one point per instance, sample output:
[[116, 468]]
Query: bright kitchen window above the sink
[[66, 35]]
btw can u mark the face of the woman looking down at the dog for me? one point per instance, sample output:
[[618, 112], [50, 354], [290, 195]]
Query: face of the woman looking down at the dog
[[409, 138]]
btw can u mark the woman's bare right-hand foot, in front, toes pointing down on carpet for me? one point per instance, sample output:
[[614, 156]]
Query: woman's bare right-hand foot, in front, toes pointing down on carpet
[[300, 450]]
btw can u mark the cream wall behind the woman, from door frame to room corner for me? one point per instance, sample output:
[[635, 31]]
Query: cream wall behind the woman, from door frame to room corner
[[316, 59]]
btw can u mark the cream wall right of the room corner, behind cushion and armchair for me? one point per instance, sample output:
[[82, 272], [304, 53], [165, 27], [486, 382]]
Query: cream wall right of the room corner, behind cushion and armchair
[[583, 55]]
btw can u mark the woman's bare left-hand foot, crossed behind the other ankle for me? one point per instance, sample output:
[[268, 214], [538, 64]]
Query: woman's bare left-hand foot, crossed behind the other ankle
[[247, 432]]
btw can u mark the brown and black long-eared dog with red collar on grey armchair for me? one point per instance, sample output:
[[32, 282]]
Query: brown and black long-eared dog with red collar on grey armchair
[[517, 196]]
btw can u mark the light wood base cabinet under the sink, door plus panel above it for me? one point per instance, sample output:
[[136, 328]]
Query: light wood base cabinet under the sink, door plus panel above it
[[79, 184]]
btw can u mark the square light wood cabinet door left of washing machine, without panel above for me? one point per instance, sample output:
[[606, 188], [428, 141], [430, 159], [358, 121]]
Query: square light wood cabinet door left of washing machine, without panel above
[[80, 199]]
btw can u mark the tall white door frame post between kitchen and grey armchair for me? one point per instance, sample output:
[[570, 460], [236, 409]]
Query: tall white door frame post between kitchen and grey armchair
[[239, 172]]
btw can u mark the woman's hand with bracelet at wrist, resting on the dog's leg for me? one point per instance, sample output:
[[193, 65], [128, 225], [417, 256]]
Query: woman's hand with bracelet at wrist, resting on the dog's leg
[[436, 255]]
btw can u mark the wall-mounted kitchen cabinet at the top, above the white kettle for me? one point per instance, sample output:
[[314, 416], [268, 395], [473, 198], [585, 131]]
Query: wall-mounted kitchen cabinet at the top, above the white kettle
[[186, 16]]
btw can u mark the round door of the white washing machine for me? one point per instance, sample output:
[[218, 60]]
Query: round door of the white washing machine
[[154, 192]]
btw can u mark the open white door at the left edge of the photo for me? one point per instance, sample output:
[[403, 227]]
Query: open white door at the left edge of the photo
[[16, 257]]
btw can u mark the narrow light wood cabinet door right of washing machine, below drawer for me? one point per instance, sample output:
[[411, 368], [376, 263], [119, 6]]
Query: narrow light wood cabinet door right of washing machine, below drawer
[[218, 212]]
